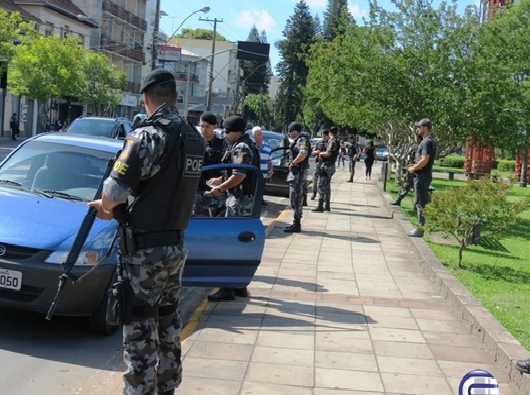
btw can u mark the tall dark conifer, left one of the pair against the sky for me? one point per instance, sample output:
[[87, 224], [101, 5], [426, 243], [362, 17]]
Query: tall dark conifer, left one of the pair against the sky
[[299, 34]]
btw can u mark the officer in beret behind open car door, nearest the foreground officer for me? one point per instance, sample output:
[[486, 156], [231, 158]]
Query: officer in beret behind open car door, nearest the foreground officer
[[206, 205]]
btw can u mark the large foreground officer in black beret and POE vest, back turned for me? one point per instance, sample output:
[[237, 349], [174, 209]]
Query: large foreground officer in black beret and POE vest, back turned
[[152, 252]]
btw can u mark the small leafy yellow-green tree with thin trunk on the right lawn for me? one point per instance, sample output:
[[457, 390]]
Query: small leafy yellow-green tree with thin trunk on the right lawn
[[458, 211]]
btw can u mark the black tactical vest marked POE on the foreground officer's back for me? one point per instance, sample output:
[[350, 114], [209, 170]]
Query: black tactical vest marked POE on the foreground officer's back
[[165, 201]]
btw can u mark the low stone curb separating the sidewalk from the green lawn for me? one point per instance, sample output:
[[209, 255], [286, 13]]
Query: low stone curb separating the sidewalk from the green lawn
[[502, 347]]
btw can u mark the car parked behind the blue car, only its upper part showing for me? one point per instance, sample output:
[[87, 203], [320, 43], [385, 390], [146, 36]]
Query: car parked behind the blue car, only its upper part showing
[[114, 128]]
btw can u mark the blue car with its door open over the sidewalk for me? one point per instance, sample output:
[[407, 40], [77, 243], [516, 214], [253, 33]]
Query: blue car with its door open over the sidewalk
[[45, 184]]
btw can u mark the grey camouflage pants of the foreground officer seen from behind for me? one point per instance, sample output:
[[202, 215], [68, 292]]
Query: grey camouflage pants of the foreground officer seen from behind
[[152, 349]]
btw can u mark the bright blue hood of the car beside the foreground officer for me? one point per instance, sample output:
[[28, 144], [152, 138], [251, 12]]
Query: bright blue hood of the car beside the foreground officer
[[39, 222]]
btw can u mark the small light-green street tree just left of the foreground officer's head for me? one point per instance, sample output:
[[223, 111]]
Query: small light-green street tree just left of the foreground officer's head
[[102, 82]]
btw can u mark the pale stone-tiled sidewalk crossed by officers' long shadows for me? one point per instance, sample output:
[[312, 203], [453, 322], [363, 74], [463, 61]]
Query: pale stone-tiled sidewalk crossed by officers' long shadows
[[346, 307]]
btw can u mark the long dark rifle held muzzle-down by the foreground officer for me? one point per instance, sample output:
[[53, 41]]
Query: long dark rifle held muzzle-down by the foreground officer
[[78, 244]]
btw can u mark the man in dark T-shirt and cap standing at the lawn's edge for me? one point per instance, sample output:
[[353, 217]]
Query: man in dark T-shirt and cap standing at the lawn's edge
[[422, 171]]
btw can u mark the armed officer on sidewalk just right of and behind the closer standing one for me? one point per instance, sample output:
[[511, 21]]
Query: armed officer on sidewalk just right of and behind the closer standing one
[[327, 169]]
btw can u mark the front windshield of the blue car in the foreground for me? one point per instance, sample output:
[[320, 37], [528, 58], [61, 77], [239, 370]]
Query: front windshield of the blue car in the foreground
[[62, 171]]
